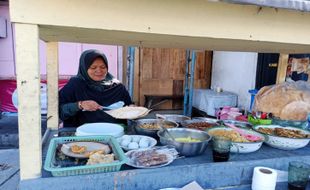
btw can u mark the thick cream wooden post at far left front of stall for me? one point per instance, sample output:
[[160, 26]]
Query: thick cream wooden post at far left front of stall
[[29, 106]]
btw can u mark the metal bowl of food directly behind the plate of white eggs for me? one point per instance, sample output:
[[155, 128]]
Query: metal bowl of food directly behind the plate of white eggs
[[150, 127]]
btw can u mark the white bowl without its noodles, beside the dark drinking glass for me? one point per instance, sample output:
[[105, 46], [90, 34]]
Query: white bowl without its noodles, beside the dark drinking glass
[[243, 147]]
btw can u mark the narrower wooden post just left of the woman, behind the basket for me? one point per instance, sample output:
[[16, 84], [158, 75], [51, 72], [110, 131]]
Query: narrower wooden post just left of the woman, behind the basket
[[52, 85]]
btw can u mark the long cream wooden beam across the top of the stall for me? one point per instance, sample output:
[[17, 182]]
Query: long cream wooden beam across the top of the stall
[[164, 24]]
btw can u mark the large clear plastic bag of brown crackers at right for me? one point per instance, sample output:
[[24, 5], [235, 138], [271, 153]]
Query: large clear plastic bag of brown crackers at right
[[286, 101]]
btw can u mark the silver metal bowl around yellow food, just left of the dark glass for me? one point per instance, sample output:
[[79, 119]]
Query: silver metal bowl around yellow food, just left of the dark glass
[[186, 148]]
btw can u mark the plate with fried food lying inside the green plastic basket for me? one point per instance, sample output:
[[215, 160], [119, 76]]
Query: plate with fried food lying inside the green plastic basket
[[83, 149]]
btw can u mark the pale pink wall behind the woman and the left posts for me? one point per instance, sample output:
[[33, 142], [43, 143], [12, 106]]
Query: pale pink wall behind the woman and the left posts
[[69, 53]]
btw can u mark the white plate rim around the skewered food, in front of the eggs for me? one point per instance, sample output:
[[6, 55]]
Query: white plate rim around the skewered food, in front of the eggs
[[131, 163]]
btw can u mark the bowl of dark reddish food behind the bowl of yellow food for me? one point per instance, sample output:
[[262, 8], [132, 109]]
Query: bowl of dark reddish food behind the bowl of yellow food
[[201, 123]]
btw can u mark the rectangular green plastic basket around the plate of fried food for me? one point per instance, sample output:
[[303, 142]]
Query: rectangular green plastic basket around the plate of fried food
[[85, 169]]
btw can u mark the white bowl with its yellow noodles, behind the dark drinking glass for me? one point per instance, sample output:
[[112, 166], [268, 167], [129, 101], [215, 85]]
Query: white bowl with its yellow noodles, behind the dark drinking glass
[[239, 143]]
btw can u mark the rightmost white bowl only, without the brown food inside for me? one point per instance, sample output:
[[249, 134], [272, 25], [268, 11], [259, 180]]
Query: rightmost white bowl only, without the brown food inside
[[284, 143]]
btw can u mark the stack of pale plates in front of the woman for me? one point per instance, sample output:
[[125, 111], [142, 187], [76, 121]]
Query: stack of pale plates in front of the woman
[[112, 129]]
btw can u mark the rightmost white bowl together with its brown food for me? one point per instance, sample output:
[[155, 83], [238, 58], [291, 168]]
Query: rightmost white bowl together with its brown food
[[285, 138]]
